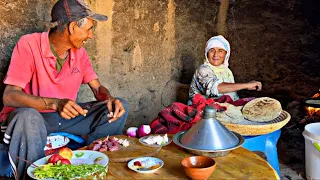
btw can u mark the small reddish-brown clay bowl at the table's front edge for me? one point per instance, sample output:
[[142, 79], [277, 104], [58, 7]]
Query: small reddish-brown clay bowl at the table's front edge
[[198, 167]]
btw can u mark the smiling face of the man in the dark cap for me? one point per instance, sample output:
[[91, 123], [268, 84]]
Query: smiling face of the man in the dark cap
[[80, 35]]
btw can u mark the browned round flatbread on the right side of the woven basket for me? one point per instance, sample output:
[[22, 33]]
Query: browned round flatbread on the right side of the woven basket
[[262, 109]]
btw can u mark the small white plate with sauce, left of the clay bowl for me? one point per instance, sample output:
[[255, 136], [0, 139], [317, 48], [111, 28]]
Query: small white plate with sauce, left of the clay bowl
[[146, 162]]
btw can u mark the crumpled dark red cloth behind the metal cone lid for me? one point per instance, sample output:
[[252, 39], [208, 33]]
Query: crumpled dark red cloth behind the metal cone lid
[[179, 117]]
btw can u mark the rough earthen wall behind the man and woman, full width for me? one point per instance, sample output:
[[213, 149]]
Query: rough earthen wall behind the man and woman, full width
[[148, 50]]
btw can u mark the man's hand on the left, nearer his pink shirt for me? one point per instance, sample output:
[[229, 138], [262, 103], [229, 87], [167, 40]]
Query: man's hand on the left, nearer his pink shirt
[[68, 109]]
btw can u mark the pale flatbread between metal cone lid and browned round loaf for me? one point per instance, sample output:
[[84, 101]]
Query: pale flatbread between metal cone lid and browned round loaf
[[231, 115]]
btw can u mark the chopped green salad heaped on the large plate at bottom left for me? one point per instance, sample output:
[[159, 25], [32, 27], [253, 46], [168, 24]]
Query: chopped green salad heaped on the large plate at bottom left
[[68, 171]]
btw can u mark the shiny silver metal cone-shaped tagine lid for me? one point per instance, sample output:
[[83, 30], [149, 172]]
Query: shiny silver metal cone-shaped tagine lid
[[209, 134]]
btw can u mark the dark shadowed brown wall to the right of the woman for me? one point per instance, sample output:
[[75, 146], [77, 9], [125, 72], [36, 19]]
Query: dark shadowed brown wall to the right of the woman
[[274, 42]]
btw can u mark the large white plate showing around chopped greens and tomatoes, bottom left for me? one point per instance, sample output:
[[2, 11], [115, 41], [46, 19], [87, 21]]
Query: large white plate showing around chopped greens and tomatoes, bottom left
[[87, 157]]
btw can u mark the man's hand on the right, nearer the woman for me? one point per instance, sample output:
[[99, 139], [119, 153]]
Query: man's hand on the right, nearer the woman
[[119, 110]]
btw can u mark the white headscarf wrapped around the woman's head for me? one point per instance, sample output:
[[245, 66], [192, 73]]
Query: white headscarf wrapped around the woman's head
[[219, 42]]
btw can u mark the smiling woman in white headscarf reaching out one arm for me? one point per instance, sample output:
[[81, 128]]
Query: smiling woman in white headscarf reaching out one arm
[[214, 78]]
